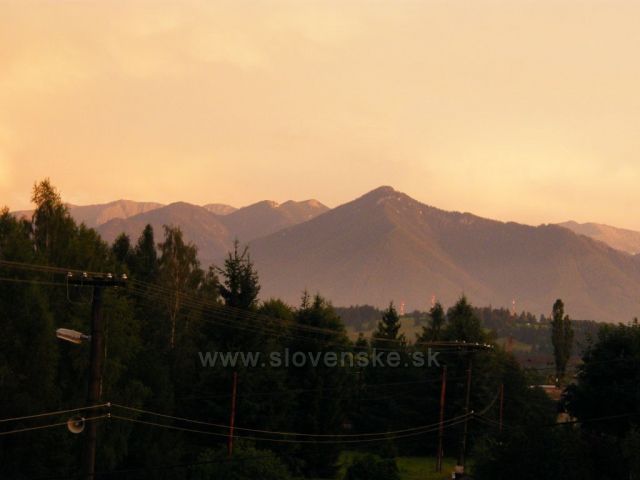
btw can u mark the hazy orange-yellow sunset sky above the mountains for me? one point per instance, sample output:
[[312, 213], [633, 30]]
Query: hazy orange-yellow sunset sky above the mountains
[[515, 110]]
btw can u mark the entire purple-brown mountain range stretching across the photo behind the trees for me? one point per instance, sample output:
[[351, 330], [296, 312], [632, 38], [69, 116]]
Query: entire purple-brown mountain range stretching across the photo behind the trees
[[387, 246]]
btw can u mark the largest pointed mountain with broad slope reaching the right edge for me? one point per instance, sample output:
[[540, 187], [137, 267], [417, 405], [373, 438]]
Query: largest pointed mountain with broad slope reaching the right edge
[[385, 245]]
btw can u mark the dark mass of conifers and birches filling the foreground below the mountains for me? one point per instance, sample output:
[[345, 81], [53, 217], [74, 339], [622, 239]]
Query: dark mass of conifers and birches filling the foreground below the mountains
[[173, 307]]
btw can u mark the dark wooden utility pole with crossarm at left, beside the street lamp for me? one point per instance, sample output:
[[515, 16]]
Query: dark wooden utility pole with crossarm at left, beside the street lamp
[[99, 283]]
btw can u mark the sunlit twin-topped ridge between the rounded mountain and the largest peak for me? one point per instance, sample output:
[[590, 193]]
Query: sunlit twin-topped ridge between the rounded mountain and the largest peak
[[266, 217]]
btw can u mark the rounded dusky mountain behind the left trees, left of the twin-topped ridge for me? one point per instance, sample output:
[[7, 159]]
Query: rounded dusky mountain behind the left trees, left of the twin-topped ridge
[[199, 226]]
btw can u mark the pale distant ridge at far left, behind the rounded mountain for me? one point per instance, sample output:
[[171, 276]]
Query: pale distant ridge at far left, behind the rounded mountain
[[94, 215]]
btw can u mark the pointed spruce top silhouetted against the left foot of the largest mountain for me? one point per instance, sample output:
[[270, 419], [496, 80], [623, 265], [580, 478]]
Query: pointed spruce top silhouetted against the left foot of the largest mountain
[[240, 285]]
